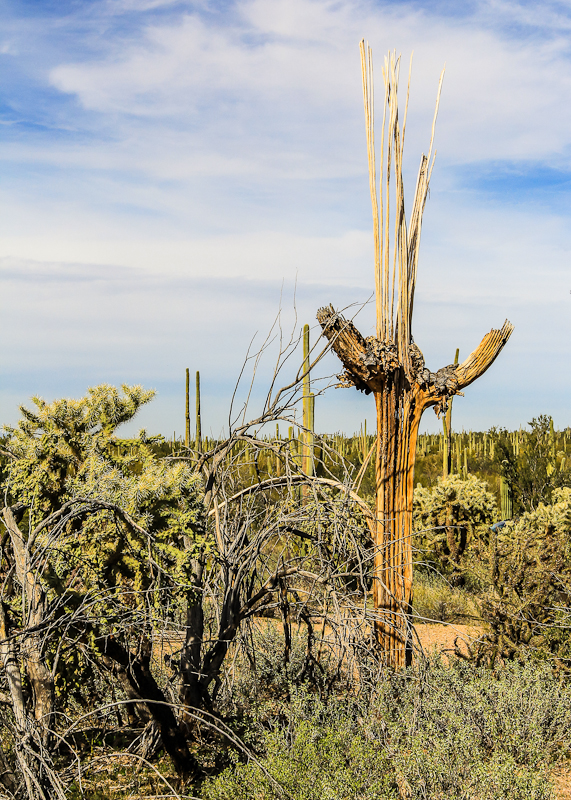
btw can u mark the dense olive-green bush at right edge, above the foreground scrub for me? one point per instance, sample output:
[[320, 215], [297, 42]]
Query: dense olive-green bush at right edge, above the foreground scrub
[[527, 604]]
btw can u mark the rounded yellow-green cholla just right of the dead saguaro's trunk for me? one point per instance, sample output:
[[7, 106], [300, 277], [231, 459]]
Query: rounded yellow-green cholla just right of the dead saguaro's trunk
[[446, 517]]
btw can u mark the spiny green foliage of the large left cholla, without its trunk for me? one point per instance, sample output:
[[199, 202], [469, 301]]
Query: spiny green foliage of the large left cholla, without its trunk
[[120, 563]]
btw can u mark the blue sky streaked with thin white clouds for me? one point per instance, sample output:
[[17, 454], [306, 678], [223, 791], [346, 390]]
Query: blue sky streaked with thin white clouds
[[175, 175]]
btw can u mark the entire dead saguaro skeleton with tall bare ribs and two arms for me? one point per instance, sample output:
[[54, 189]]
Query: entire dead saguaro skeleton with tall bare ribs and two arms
[[390, 364]]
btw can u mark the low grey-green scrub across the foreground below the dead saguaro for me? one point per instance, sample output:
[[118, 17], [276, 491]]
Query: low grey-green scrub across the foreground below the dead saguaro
[[437, 731]]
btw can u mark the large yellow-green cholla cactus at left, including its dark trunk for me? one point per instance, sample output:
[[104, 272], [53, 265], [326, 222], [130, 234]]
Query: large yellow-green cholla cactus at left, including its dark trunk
[[115, 533]]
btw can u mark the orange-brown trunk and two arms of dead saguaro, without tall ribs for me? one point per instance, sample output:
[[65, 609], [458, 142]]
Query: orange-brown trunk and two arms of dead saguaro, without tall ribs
[[374, 367]]
